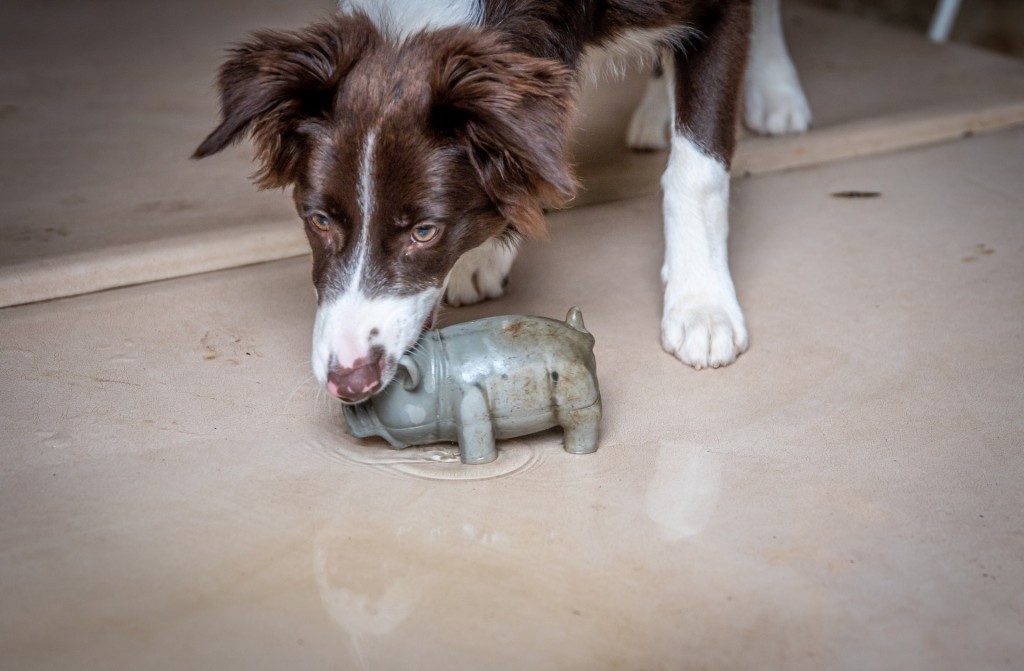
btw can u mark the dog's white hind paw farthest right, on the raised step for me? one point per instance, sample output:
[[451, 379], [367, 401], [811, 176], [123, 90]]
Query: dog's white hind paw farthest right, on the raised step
[[775, 103]]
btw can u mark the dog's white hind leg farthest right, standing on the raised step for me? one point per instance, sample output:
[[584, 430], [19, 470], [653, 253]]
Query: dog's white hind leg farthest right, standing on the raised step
[[775, 100]]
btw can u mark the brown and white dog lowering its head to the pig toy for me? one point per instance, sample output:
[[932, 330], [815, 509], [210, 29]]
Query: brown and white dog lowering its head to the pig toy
[[423, 140]]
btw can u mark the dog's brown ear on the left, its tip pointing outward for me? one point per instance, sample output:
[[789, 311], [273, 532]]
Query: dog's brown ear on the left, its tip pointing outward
[[278, 85]]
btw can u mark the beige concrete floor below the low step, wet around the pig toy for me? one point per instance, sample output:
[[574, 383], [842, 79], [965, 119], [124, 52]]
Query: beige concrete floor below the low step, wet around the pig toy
[[177, 494]]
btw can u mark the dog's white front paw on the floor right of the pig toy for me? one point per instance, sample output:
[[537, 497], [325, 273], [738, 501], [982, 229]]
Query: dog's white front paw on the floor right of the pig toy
[[704, 333]]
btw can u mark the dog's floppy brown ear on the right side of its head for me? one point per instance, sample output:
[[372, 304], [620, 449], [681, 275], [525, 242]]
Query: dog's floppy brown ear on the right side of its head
[[513, 112]]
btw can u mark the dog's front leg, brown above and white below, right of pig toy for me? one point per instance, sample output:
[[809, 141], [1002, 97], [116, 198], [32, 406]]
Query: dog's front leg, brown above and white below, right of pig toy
[[702, 323]]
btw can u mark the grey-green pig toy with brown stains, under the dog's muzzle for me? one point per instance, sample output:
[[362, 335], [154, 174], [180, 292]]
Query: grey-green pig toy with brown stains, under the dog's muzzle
[[495, 379]]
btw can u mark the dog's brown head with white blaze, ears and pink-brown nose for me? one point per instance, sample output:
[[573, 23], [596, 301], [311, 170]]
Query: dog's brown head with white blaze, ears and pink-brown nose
[[403, 156]]
